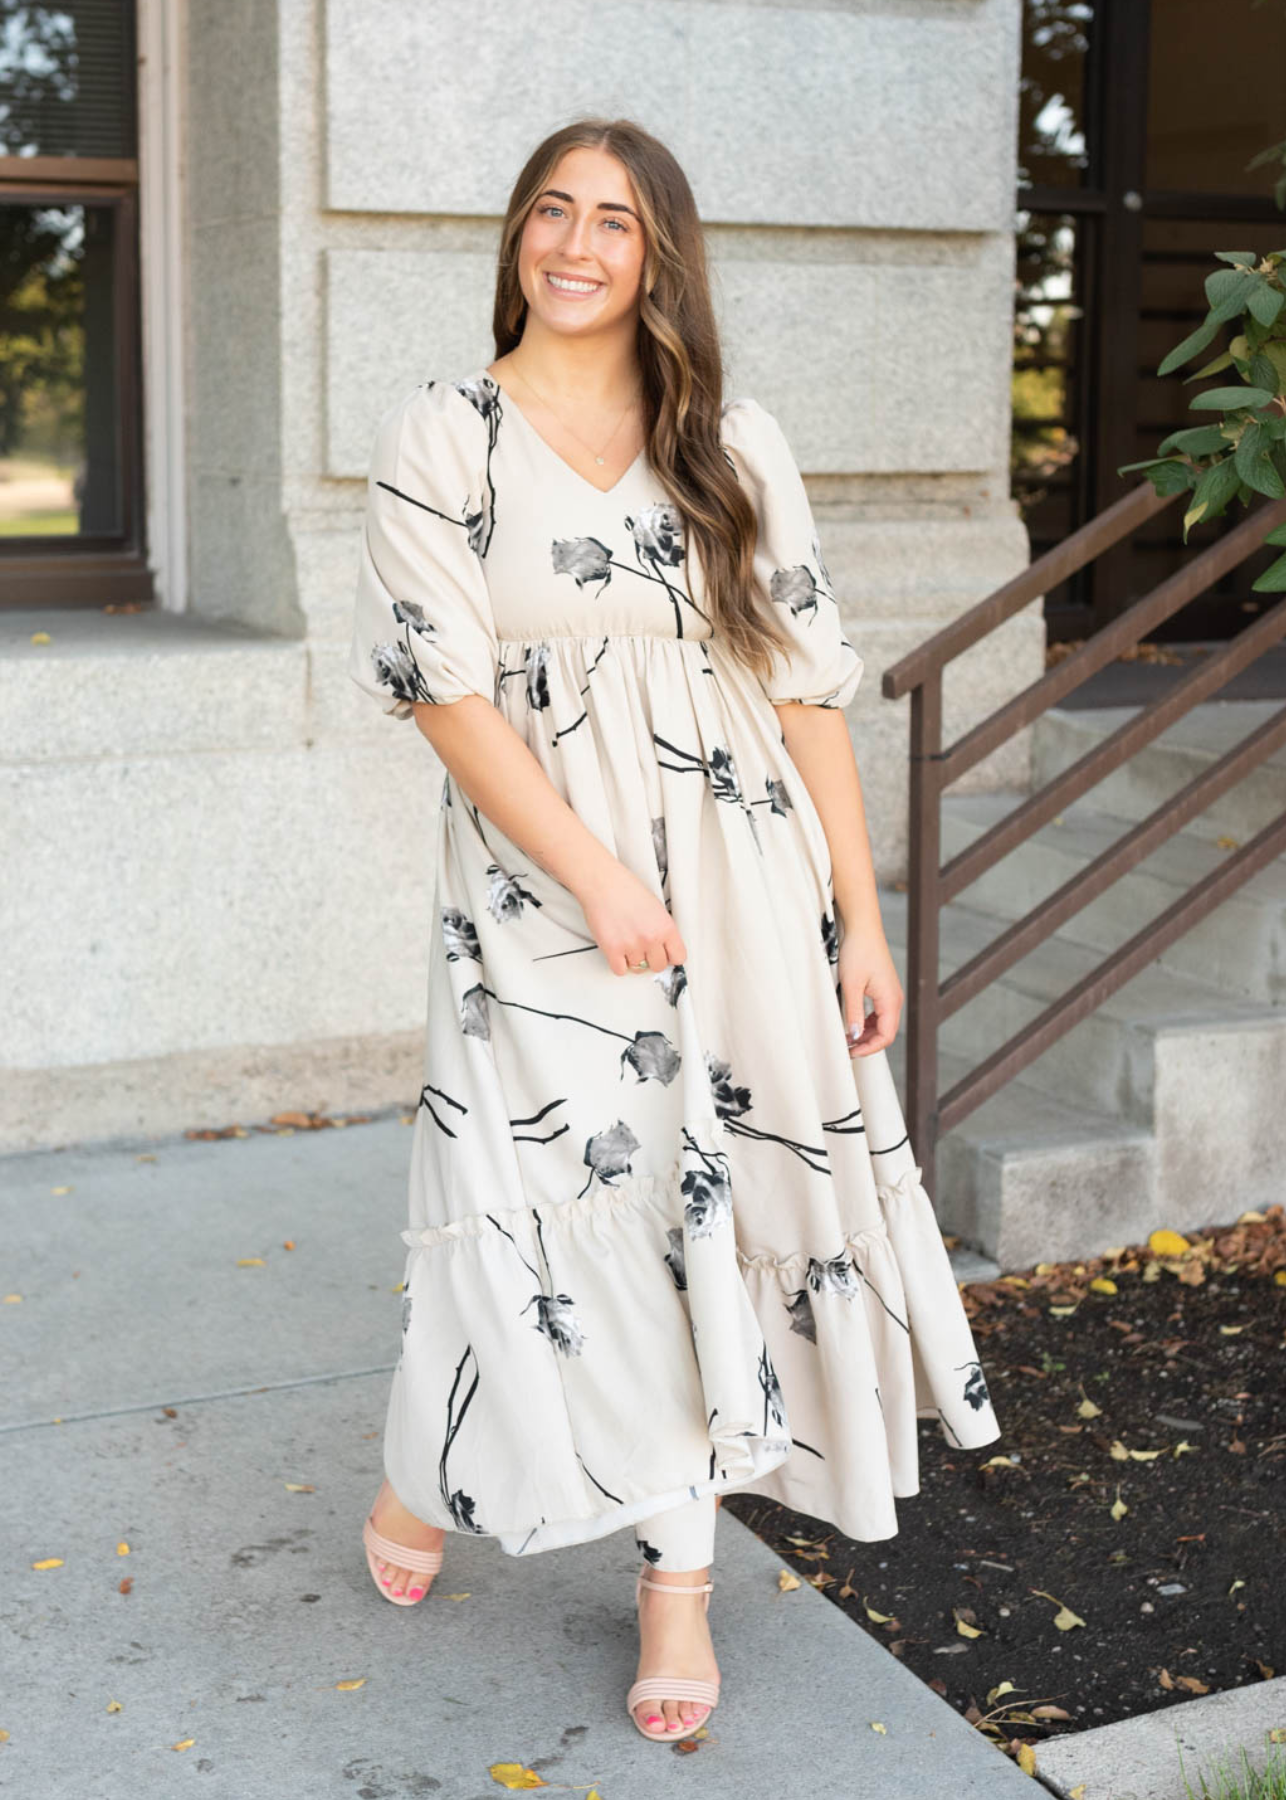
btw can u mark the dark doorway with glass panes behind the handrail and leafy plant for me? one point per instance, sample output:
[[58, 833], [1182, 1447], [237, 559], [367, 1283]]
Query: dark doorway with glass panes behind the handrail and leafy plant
[[1137, 123]]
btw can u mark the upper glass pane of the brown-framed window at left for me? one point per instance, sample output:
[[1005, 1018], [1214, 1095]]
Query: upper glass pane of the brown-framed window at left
[[68, 80]]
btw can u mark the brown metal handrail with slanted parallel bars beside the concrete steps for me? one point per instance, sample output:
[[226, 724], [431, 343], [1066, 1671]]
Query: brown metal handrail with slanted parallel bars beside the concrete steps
[[934, 769]]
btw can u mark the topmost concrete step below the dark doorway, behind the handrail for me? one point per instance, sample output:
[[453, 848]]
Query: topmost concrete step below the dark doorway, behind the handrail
[[1190, 746]]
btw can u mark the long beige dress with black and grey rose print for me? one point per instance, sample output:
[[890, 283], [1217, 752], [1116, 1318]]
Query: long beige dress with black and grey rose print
[[666, 1236]]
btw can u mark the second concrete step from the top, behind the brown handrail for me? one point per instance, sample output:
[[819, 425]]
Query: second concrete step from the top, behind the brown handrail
[[1240, 948]]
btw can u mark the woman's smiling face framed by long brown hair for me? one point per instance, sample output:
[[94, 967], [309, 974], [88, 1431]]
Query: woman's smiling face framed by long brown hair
[[586, 229]]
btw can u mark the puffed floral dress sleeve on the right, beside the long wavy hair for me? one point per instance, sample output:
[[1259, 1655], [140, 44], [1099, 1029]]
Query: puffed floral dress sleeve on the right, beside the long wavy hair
[[824, 669]]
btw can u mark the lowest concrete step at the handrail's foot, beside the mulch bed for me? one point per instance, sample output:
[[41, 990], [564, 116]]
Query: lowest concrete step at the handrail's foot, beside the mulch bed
[[1028, 1178]]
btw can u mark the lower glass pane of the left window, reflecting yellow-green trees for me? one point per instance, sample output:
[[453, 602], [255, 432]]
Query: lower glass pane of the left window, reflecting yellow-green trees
[[60, 404]]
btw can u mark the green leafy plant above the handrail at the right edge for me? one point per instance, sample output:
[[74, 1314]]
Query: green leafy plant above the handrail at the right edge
[[1242, 453]]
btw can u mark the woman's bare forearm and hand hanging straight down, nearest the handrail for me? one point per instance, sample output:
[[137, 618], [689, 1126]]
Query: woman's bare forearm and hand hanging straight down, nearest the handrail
[[817, 739]]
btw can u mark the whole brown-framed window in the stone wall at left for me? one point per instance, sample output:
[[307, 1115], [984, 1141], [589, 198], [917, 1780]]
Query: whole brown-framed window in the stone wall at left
[[71, 469]]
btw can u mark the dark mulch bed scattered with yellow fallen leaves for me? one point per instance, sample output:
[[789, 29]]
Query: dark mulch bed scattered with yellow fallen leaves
[[1150, 1381]]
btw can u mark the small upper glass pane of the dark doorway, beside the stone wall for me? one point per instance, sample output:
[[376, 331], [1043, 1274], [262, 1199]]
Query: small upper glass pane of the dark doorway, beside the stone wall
[[1053, 132]]
